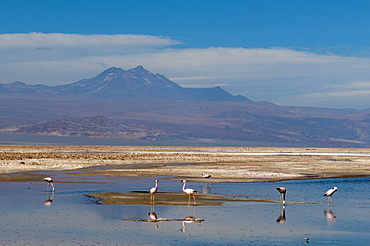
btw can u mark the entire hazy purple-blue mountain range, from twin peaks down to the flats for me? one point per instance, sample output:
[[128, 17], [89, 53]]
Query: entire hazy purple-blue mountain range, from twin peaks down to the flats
[[137, 104]]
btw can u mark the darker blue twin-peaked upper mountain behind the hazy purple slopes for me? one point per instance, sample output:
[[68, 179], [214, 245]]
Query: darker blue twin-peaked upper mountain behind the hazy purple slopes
[[120, 84]]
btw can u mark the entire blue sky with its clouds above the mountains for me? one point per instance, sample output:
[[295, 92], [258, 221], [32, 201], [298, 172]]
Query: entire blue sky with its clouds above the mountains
[[297, 52]]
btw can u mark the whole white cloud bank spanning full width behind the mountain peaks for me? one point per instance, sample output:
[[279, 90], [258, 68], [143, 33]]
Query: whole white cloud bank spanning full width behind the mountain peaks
[[283, 76]]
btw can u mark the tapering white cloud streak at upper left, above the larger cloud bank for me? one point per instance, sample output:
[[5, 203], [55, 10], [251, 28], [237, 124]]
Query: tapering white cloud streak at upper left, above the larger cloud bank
[[36, 47]]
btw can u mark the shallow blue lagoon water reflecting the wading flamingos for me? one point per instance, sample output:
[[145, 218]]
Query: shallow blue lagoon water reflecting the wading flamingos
[[73, 218]]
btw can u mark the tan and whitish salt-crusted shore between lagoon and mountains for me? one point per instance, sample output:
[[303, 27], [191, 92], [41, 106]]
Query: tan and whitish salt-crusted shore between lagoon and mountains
[[225, 164]]
